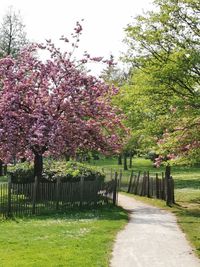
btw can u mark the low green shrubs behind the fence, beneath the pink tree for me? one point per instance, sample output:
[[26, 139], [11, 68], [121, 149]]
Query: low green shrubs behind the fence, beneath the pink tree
[[66, 171]]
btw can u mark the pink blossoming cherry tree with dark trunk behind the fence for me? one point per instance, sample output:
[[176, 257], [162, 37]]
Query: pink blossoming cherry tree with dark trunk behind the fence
[[54, 106]]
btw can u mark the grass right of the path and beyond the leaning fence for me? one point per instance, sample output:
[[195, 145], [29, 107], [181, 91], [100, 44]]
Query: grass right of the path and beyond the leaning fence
[[187, 193]]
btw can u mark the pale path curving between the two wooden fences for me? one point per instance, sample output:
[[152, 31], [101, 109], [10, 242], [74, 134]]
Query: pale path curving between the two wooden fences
[[152, 238]]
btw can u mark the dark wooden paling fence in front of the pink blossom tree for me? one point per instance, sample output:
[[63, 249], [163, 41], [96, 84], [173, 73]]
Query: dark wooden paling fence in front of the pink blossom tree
[[37, 198]]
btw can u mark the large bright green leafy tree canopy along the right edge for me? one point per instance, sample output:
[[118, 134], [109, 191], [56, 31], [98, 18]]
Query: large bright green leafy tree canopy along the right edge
[[163, 93]]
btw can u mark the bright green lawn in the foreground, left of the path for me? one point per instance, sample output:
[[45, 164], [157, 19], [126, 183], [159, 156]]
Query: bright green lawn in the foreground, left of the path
[[76, 238]]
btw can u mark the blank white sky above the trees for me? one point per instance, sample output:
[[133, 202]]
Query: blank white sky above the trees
[[104, 21]]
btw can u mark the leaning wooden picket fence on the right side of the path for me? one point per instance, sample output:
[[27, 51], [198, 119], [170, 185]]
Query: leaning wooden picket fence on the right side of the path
[[153, 187]]
